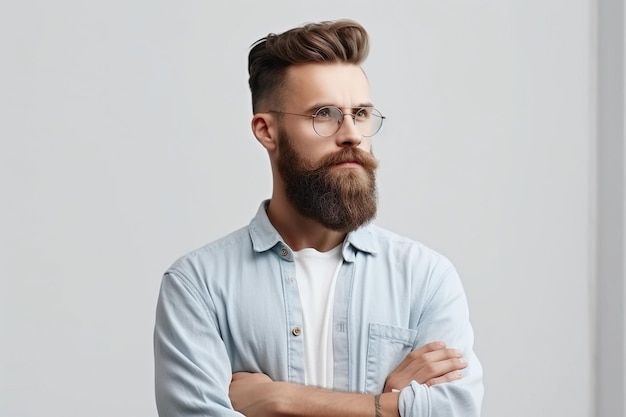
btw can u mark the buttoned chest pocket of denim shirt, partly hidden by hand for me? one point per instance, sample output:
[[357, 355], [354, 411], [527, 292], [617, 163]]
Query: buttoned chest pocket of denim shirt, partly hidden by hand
[[387, 347]]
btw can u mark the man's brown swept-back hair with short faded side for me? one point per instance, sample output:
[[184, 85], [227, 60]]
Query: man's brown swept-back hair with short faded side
[[343, 41]]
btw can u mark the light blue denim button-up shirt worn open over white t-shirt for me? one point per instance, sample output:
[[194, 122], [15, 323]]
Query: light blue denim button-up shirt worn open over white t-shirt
[[233, 305]]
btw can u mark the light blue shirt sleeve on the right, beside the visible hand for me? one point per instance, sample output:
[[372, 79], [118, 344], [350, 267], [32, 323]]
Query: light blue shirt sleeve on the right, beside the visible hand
[[446, 318]]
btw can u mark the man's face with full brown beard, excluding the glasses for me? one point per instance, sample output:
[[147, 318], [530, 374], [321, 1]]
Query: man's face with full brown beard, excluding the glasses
[[328, 179]]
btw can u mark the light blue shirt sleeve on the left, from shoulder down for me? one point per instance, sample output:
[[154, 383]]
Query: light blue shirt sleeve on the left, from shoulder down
[[192, 367]]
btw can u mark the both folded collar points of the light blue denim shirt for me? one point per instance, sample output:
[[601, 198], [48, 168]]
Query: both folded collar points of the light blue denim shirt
[[264, 236]]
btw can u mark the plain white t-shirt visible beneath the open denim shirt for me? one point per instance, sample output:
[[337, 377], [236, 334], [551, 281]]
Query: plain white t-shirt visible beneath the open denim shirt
[[316, 273]]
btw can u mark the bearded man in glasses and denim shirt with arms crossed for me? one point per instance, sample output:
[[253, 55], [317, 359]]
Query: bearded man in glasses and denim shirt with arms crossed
[[311, 310]]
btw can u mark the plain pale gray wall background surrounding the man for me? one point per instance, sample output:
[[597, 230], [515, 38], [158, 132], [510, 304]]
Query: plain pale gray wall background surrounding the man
[[125, 143]]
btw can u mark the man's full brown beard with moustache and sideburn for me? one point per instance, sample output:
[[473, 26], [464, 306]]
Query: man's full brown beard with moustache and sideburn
[[340, 199]]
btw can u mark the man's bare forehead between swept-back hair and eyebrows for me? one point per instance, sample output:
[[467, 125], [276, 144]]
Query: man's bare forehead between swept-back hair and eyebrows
[[314, 85]]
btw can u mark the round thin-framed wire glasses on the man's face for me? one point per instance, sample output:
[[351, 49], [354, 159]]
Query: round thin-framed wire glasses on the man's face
[[327, 120]]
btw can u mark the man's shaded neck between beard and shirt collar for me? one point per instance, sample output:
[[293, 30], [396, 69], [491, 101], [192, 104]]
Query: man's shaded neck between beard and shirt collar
[[300, 232]]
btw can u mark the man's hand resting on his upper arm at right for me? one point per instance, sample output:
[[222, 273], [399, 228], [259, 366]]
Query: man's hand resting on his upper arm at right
[[431, 364]]
